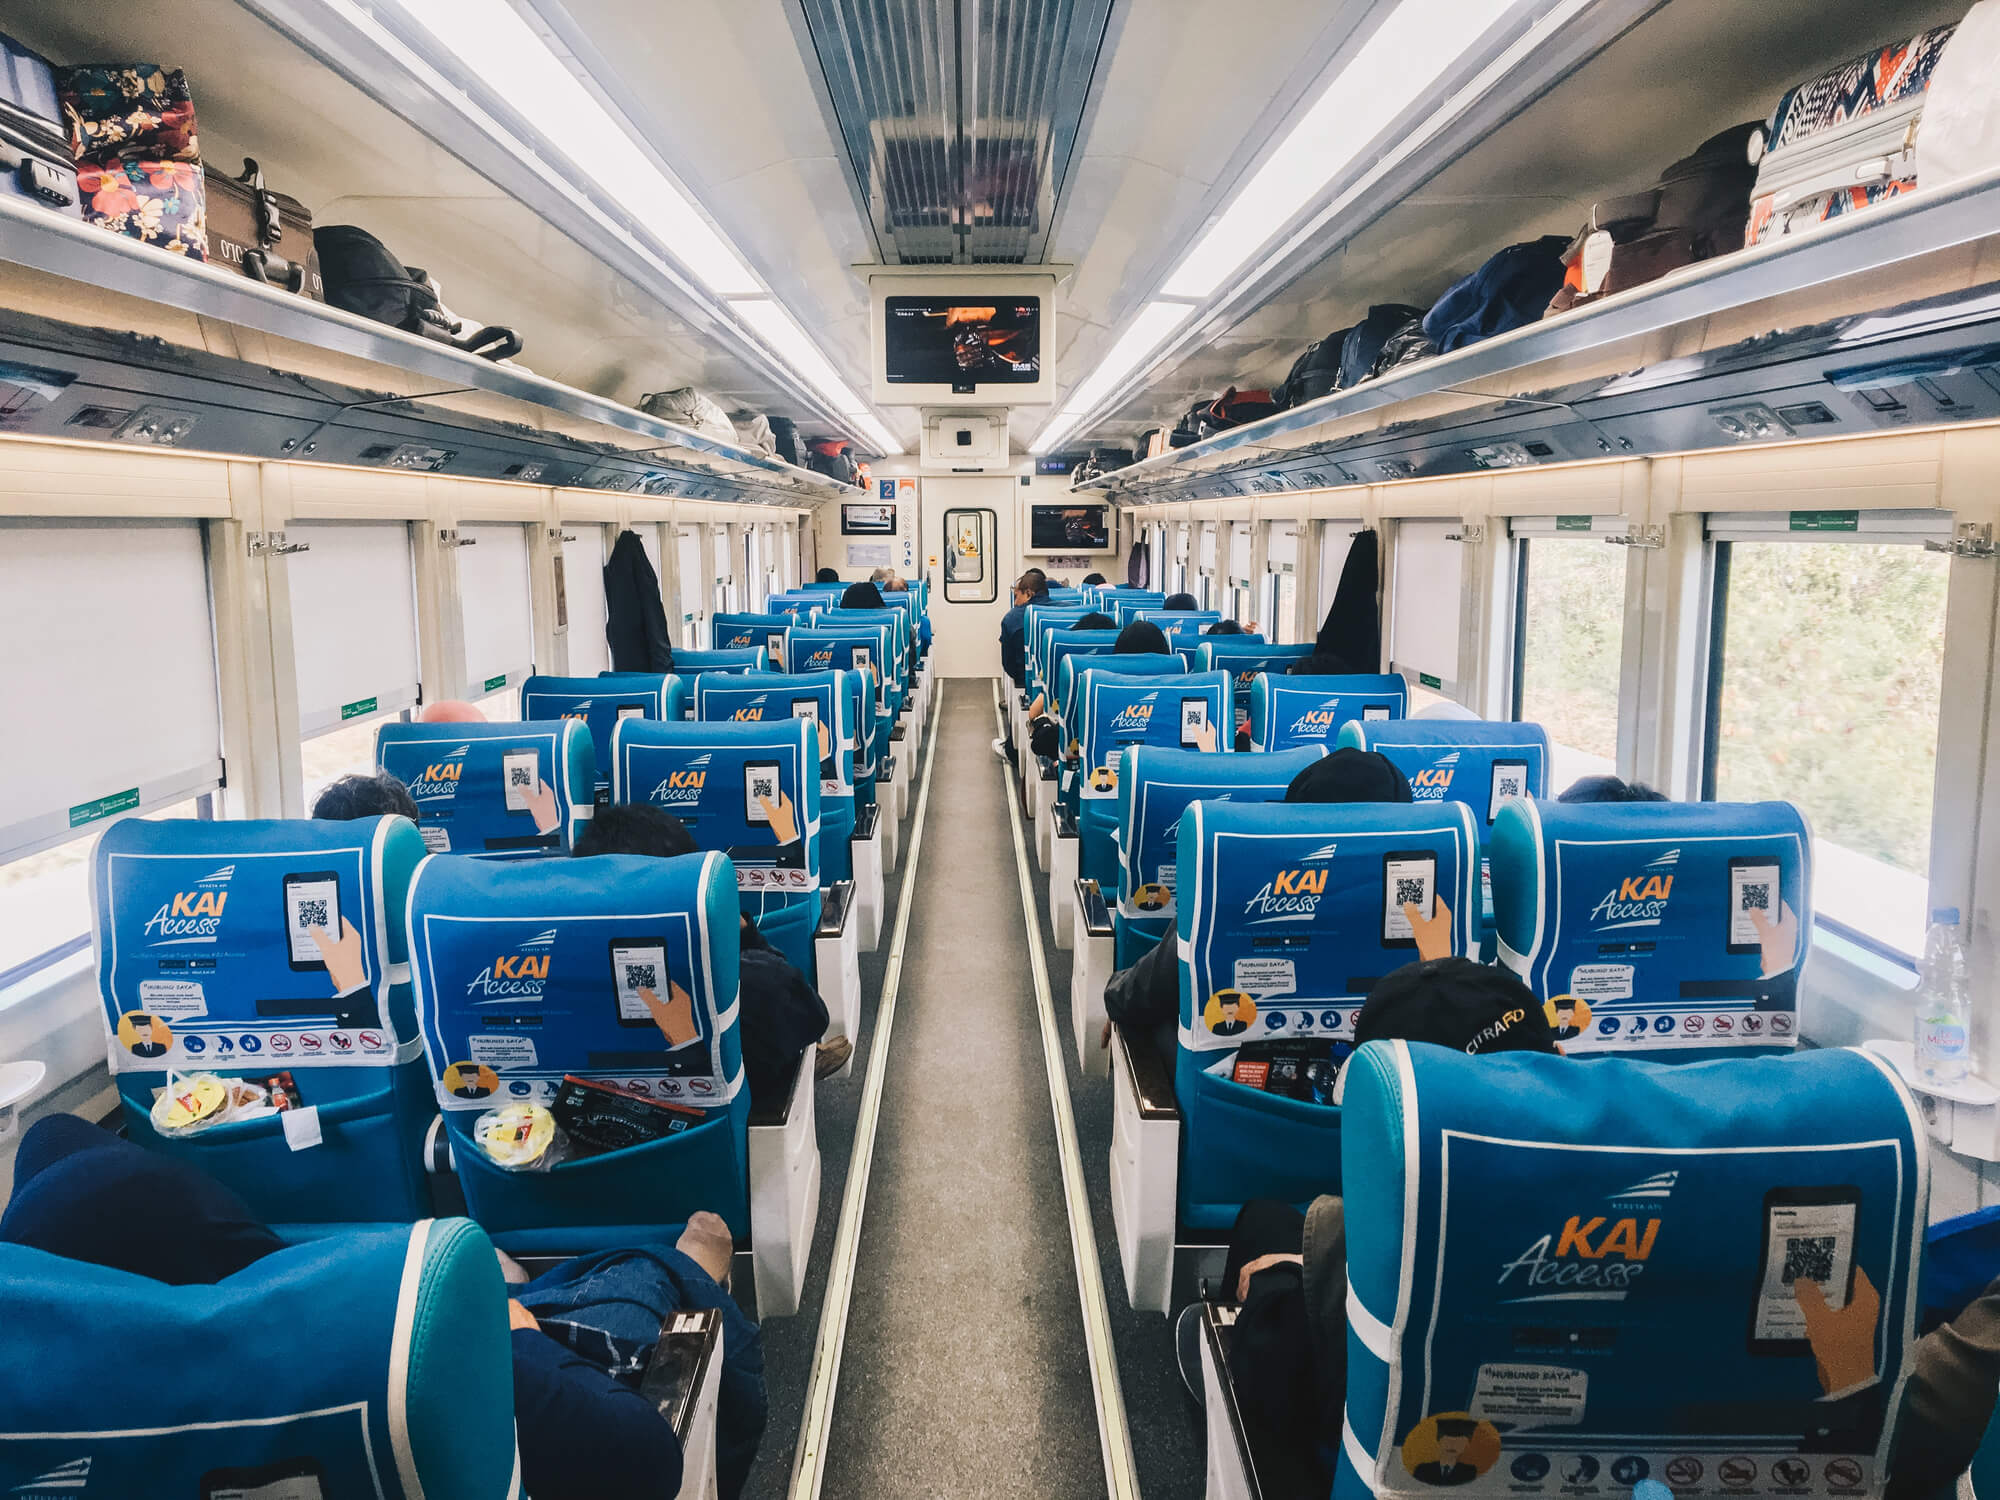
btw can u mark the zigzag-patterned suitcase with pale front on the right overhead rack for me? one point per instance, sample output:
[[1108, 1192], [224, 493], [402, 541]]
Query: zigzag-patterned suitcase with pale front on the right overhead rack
[[1843, 141]]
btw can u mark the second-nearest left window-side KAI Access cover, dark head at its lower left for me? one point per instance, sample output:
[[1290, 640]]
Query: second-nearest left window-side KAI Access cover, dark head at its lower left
[[475, 785]]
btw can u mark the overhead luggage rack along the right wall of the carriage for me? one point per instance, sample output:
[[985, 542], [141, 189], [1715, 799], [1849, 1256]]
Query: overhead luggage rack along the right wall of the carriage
[[1873, 323]]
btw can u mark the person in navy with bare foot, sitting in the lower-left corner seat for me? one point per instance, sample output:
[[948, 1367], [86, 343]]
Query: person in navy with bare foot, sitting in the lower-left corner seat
[[581, 1423]]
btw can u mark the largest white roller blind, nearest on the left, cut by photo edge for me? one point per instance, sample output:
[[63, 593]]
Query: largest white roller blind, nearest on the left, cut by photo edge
[[111, 657]]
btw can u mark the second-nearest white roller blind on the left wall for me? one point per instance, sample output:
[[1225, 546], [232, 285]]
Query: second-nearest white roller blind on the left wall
[[353, 621]]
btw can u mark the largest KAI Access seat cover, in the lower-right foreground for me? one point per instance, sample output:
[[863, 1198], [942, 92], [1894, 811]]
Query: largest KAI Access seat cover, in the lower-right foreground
[[1583, 1275]]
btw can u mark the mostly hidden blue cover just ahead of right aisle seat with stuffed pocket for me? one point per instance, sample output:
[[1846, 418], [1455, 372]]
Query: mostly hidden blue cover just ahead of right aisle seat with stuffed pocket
[[1155, 789]]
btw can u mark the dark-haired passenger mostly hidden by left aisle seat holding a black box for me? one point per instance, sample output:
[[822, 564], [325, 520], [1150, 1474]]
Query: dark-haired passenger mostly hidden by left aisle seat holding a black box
[[783, 1017]]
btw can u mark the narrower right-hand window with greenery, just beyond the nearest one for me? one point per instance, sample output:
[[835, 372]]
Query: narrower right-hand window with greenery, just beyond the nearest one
[[1569, 641]]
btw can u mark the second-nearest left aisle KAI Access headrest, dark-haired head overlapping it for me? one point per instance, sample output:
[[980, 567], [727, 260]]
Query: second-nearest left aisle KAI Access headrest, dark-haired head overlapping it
[[731, 785]]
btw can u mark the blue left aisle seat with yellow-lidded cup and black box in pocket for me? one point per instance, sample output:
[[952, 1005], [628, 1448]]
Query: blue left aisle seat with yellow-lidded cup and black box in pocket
[[527, 975]]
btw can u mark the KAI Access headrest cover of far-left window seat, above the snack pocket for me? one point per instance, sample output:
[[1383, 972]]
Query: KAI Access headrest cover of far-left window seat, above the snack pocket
[[205, 947]]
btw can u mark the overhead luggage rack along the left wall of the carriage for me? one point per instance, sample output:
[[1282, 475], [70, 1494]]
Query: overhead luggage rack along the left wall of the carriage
[[191, 357]]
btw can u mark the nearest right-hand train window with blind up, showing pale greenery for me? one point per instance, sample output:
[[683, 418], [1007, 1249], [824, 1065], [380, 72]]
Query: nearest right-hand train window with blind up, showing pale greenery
[[1825, 681]]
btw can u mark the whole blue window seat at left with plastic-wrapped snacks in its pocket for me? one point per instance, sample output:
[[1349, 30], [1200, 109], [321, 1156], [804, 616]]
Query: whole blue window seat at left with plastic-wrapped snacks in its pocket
[[207, 963]]
